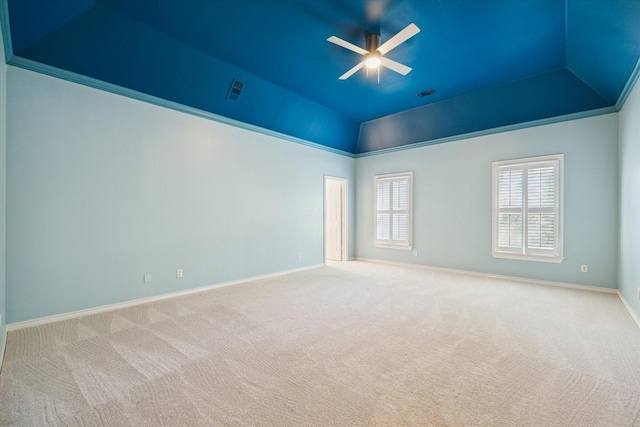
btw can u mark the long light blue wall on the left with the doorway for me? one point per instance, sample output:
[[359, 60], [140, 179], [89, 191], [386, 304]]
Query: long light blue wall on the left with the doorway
[[102, 189]]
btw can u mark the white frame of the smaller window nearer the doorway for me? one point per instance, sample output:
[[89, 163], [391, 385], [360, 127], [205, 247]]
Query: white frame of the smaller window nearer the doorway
[[390, 243]]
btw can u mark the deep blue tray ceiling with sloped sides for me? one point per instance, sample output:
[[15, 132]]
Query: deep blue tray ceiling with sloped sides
[[492, 63]]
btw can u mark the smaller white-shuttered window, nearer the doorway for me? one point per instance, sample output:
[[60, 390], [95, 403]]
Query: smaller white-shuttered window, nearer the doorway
[[393, 197]]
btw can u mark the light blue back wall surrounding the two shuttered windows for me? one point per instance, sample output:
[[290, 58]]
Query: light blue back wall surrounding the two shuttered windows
[[452, 201]]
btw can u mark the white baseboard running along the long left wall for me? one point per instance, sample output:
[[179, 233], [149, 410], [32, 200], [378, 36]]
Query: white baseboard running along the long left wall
[[79, 313]]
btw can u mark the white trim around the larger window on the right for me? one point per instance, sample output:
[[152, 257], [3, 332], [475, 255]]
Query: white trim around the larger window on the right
[[523, 254]]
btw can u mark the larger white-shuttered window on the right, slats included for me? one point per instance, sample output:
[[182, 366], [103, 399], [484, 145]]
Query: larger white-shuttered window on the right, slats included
[[527, 209]]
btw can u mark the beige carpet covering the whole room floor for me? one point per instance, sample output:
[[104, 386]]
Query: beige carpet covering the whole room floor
[[352, 344]]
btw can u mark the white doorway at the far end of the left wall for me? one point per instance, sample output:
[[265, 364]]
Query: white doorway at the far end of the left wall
[[335, 219]]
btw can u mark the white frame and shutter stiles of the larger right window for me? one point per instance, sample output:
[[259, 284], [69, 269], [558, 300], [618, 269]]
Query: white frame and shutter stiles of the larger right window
[[524, 253]]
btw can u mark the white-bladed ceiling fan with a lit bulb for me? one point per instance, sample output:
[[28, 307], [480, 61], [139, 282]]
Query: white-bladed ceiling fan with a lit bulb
[[374, 53]]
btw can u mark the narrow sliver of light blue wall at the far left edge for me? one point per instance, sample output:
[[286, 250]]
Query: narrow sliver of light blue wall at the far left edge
[[3, 175]]
